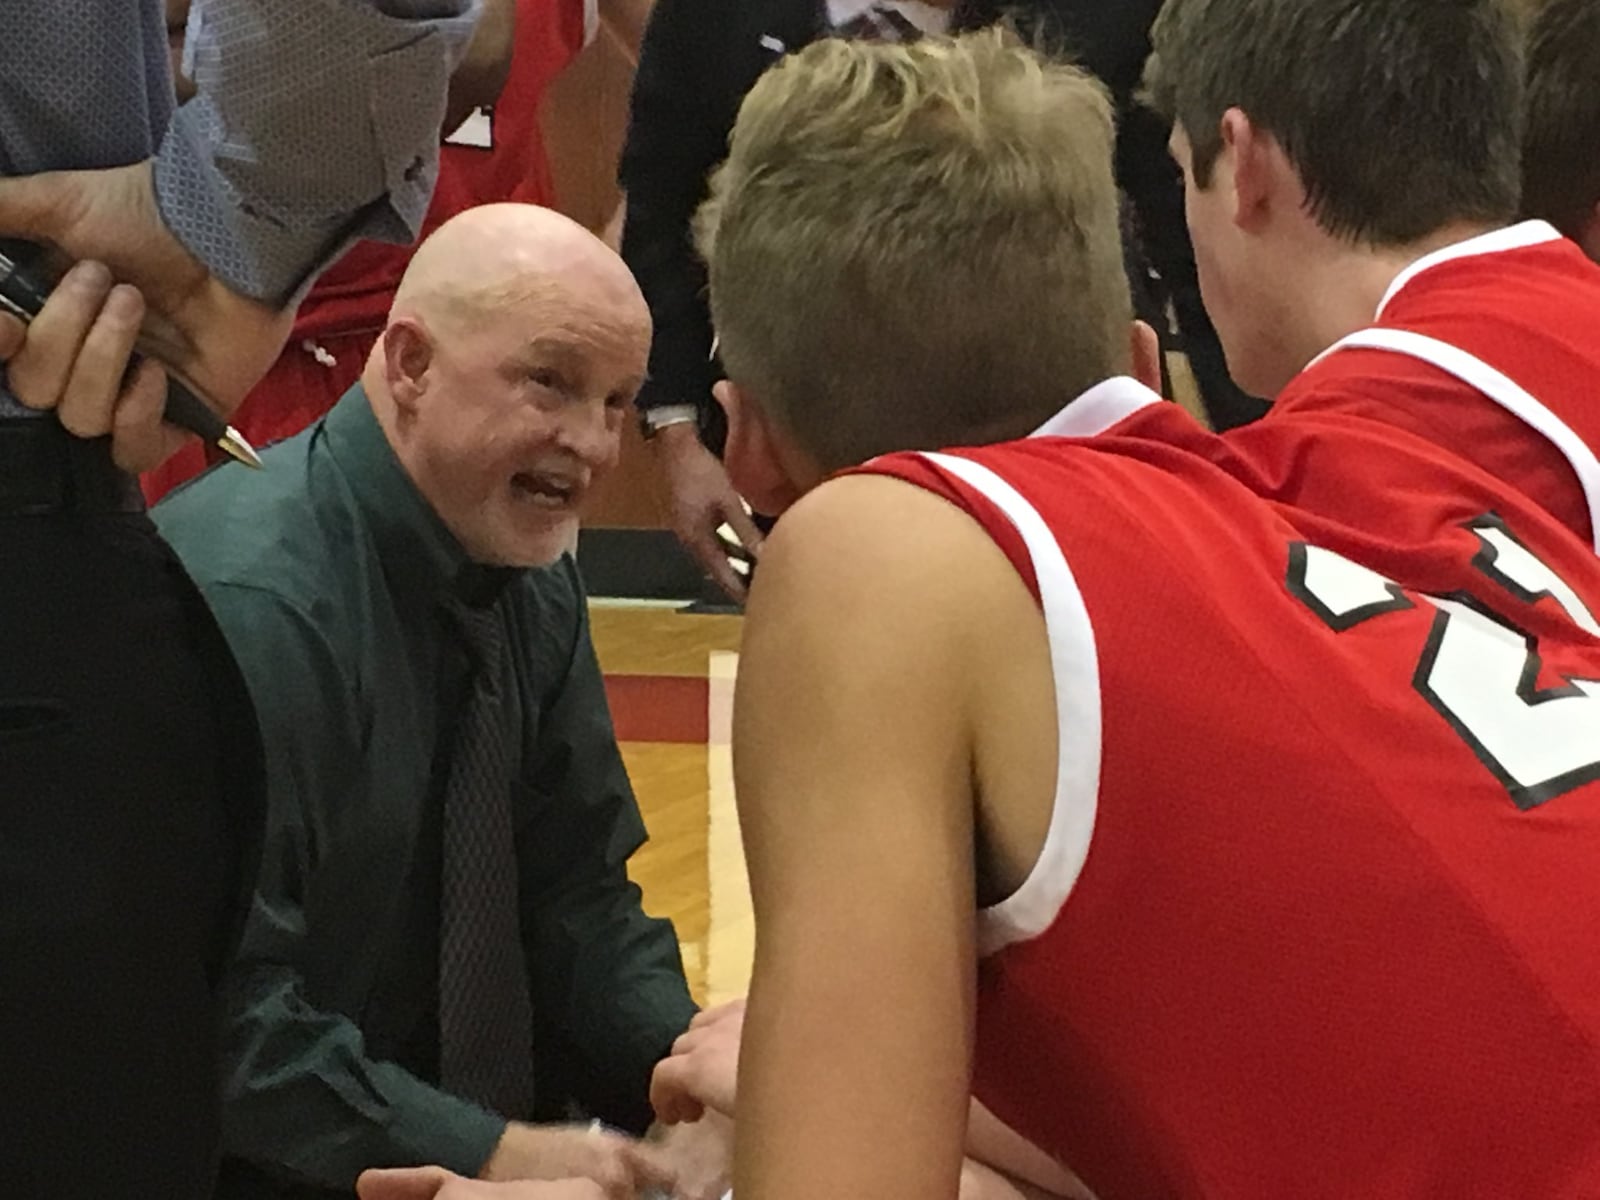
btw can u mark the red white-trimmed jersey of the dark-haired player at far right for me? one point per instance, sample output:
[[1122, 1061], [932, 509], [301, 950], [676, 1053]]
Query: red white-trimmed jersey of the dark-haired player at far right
[[1489, 350]]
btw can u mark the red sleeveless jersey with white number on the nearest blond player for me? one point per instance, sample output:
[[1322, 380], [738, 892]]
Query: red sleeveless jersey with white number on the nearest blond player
[[1319, 911]]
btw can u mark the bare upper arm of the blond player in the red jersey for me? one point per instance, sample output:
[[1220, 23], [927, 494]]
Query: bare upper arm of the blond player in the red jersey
[[854, 769]]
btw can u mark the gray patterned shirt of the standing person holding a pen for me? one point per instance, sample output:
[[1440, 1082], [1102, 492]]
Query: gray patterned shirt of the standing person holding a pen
[[316, 121]]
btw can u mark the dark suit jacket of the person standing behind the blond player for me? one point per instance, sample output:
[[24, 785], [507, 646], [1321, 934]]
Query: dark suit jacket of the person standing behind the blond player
[[698, 62]]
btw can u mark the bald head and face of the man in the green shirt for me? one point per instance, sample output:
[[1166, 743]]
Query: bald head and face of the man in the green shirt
[[516, 345]]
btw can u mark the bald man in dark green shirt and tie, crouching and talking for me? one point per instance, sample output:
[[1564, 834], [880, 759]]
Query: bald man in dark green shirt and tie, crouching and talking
[[444, 948]]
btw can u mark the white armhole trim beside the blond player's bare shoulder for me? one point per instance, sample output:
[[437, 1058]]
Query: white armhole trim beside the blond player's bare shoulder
[[1074, 665]]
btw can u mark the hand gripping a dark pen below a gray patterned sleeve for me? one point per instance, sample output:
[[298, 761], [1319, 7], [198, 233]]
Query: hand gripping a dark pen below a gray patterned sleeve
[[74, 356]]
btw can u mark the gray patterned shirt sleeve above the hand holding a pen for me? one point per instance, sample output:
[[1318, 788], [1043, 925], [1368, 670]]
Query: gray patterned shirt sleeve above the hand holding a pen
[[262, 196]]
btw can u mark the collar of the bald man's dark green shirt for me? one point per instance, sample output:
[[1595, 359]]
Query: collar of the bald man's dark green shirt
[[418, 553]]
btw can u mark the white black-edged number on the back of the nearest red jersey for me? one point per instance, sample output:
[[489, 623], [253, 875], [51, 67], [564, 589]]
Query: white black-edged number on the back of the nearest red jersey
[[1476, 671]]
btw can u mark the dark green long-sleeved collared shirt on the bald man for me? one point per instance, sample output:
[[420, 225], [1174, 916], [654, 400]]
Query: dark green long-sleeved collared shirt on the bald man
[[329, 574]]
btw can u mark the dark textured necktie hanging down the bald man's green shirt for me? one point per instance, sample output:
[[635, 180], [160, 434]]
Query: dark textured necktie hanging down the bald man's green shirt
[[486, 1014]]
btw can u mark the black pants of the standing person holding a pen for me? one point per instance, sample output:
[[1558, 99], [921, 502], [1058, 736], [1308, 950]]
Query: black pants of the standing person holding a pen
[[130, 804]]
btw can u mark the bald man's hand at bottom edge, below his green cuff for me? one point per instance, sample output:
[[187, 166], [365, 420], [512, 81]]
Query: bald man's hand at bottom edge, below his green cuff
[[623, 1167]]
